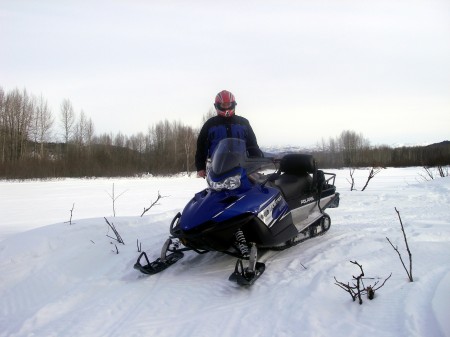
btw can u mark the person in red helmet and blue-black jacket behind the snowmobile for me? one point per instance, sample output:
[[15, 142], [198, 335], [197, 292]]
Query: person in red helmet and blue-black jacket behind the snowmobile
[[226, 124]]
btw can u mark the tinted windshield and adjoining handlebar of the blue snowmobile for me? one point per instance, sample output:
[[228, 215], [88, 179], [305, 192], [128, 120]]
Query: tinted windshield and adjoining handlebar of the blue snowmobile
[[231, 153]]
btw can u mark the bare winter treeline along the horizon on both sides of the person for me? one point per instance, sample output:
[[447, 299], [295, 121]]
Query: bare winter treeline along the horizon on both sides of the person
[[35, 144]]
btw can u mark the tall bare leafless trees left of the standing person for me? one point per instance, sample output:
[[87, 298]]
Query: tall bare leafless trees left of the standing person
[[35, 144]]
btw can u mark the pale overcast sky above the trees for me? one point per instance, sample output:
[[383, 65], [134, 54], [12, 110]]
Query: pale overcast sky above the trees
[[301, 71]]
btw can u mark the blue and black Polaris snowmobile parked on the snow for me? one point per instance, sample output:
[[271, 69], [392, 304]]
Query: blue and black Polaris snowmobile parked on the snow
[[252, 204]]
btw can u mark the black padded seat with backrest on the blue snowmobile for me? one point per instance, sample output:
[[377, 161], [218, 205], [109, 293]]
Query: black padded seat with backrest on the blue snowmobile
[[295, 179]]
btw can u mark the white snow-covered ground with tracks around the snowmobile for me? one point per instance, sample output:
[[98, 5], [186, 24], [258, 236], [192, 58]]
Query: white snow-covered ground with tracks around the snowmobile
[[61, 279]]
